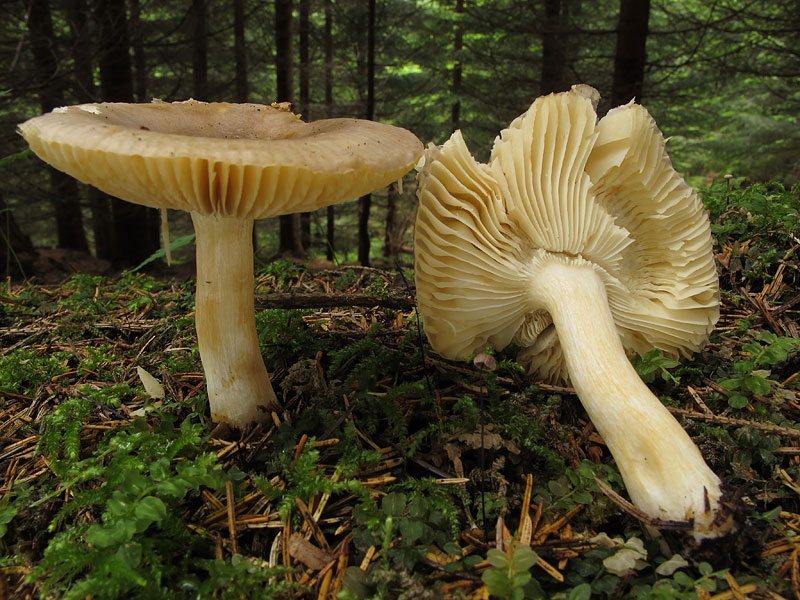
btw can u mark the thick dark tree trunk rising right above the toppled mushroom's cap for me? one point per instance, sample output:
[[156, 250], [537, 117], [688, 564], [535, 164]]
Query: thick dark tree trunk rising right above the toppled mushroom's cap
[[630, 56]]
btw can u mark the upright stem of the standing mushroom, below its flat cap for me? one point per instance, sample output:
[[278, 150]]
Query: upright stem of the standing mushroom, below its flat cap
[[239, 389]]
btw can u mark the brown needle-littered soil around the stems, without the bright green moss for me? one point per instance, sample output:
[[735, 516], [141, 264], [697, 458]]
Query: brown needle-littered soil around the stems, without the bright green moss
[[500, 462]]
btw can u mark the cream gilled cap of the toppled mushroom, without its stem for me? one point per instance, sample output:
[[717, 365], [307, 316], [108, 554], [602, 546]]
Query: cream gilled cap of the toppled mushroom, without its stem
[[561, 184]]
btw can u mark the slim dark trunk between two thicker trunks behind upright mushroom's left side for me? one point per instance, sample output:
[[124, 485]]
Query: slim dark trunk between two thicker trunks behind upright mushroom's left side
[[85, 91]]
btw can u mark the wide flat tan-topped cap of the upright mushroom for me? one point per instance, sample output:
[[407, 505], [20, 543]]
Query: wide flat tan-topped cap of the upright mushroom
[[229, 160]]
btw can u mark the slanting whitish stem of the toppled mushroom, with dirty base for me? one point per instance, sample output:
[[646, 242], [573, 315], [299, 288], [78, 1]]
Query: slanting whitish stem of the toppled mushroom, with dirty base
[[663, 470]]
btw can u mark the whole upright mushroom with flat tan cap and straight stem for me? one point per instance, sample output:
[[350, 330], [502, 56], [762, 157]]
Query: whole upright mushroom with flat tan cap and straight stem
[[227, 164]]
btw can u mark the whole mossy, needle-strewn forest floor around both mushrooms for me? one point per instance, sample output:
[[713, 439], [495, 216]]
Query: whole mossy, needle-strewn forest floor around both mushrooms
[[389, 472]]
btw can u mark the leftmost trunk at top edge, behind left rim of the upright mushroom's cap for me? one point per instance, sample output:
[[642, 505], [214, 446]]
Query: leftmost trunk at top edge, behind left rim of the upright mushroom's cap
[[66, 199]]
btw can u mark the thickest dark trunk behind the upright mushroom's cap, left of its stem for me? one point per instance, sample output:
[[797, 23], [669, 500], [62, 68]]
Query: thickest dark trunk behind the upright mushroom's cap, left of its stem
[[135, 227]]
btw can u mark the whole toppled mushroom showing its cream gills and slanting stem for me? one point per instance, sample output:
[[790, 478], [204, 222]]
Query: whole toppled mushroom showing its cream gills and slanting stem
[[579, 242]]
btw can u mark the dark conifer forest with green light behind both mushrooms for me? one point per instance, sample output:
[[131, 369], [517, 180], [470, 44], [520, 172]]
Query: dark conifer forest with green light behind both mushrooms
[[722, 78]]
